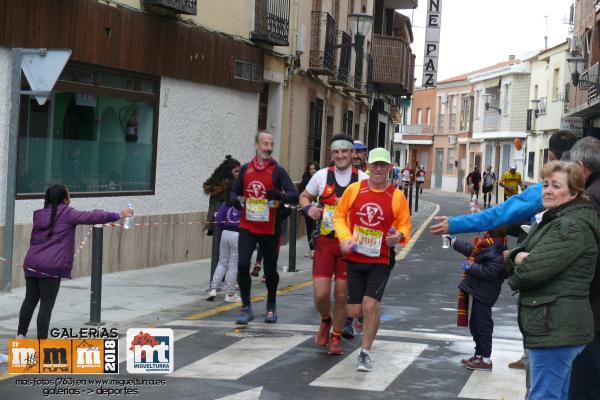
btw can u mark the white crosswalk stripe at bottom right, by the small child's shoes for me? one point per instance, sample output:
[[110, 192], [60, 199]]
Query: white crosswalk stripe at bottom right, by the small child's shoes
[[493, 385]]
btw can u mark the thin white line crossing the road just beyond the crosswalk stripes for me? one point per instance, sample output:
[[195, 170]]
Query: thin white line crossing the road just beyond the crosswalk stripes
[[443, 337]]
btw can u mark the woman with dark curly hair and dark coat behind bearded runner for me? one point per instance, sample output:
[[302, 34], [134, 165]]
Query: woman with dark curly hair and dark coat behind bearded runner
[[217, 187]]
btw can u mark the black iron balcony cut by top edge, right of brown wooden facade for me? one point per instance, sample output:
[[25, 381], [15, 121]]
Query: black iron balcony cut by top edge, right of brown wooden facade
[[272, 22]]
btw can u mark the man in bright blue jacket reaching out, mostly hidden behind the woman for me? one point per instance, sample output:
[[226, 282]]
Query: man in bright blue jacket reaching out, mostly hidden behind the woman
[[514, 210]]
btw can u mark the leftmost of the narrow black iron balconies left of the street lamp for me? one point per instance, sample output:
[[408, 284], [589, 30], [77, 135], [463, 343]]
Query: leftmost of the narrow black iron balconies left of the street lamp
[[322, 38]]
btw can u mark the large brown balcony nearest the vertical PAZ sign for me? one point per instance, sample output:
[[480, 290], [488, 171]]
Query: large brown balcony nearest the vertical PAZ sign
[[393, 65]]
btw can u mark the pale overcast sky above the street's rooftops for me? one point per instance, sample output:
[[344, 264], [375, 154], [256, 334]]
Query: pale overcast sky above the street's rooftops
[[479, 33]]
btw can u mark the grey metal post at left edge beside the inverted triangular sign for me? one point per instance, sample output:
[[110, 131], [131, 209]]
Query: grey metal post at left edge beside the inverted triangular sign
[[11, 170]]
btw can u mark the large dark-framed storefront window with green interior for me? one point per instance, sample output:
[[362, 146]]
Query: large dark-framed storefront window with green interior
[[96, 135]]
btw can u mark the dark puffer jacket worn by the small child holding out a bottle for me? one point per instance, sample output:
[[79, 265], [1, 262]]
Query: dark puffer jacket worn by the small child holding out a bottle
[[486, 275]]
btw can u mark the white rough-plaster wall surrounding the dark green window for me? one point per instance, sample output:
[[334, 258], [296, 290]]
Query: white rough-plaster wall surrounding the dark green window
[[198, 125]]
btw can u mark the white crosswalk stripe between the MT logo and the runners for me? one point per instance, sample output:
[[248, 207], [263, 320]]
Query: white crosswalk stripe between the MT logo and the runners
[[240, 358]]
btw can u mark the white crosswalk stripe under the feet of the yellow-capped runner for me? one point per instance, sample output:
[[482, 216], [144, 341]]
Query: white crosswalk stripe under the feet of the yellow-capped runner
[[391, 359]]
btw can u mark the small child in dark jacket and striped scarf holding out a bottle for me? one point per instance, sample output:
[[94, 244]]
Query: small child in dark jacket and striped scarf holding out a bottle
[[482, 280]]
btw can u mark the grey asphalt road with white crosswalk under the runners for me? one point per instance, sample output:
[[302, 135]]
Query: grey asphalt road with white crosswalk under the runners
[[416, 355]]
